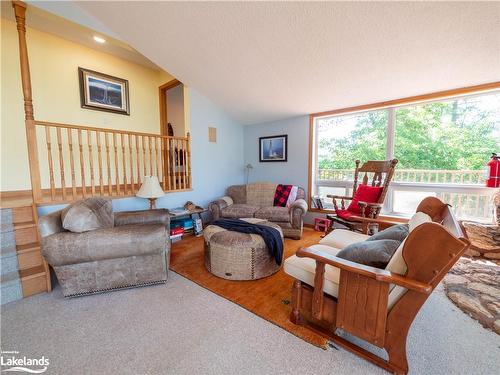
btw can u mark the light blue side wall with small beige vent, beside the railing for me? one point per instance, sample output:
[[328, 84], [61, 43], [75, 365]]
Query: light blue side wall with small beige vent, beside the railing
[[214, 166]]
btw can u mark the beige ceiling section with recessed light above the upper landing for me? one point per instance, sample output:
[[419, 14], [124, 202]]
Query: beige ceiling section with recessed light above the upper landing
[[48, 22]]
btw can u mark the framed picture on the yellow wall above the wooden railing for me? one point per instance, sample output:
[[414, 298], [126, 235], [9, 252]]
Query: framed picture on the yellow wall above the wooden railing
[[103, 92]]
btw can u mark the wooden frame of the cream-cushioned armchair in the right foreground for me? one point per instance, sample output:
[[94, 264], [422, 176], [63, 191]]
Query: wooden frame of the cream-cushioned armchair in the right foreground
[[374, 304]]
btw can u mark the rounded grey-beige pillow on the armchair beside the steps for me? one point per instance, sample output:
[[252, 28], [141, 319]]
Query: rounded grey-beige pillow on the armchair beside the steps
[[88, 214]]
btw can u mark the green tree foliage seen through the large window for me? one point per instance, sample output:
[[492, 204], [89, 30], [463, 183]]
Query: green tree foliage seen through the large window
[[453, 135]]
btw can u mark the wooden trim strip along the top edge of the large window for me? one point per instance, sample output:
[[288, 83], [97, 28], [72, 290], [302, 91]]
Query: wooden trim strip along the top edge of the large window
[[413, 99]]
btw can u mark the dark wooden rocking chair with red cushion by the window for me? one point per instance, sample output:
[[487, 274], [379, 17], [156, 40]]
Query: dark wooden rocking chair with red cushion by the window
[[383, 171]]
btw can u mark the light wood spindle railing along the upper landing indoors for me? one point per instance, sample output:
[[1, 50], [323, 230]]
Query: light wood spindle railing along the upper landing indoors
[[76, 162]]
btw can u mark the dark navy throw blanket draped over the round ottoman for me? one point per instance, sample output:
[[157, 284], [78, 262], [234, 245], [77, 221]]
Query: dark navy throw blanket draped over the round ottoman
[[271, 236]]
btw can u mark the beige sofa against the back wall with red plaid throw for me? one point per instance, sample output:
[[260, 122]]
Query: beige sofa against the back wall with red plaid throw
[[256, 200]]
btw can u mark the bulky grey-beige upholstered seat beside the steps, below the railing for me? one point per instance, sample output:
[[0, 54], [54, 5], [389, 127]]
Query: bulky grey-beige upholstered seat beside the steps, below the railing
[[128, 249]]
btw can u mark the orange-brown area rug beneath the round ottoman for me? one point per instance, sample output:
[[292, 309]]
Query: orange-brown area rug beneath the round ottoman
[[268, 298]]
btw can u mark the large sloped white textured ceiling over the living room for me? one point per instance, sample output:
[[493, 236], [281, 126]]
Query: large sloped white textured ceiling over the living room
[[264, 61]]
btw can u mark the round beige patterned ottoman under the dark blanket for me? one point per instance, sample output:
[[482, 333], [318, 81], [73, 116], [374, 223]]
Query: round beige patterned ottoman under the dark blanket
[[238, 256]]
